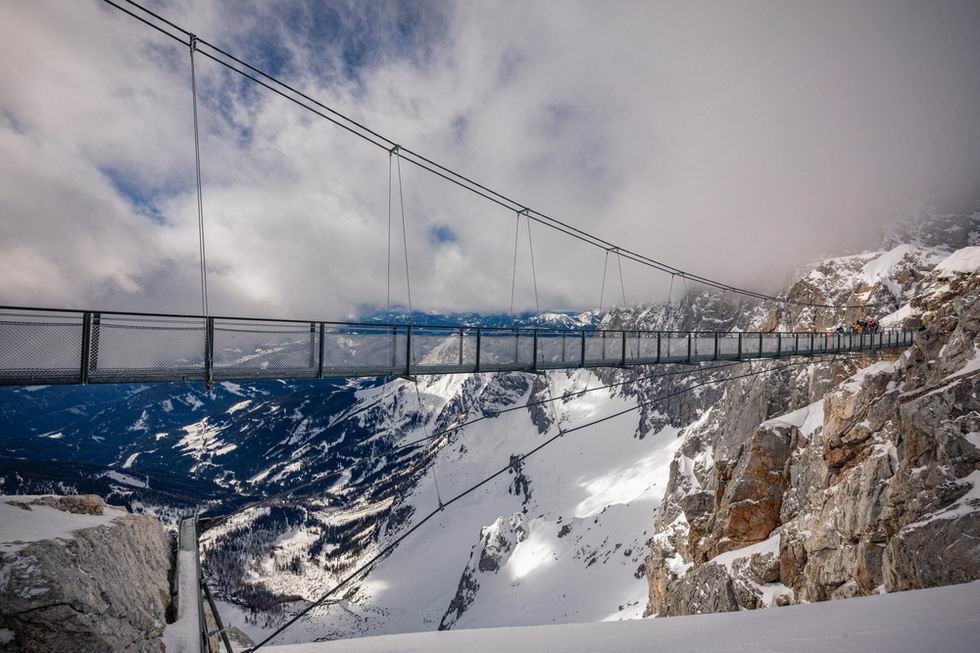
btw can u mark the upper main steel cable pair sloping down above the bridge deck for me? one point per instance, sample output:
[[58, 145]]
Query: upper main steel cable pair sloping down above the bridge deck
[[291, 94]]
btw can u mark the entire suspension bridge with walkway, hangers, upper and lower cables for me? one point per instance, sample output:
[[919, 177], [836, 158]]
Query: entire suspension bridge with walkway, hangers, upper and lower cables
[[47, 346]]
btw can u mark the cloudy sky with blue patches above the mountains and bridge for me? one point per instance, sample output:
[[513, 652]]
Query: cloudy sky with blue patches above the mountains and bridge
[[735, 139]]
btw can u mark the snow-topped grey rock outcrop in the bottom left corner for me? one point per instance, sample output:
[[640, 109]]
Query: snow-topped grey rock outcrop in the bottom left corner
[[88, 578]]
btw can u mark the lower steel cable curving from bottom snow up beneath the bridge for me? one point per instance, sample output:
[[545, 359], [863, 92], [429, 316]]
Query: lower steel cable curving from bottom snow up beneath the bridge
[[369, 564]]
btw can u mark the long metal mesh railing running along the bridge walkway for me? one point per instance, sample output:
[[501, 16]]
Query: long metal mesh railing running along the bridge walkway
[[44, 346]]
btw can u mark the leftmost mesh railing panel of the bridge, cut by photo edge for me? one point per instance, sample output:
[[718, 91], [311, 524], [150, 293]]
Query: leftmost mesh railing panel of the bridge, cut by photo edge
[[43, 346]]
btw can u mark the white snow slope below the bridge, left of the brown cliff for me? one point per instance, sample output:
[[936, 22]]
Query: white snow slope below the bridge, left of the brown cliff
[[581, 525]]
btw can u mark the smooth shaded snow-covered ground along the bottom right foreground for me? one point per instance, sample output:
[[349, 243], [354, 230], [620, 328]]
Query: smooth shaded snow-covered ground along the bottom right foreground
[[943, 619]]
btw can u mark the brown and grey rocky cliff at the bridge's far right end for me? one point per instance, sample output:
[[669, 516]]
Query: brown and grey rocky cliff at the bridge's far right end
[[871, 486]]
